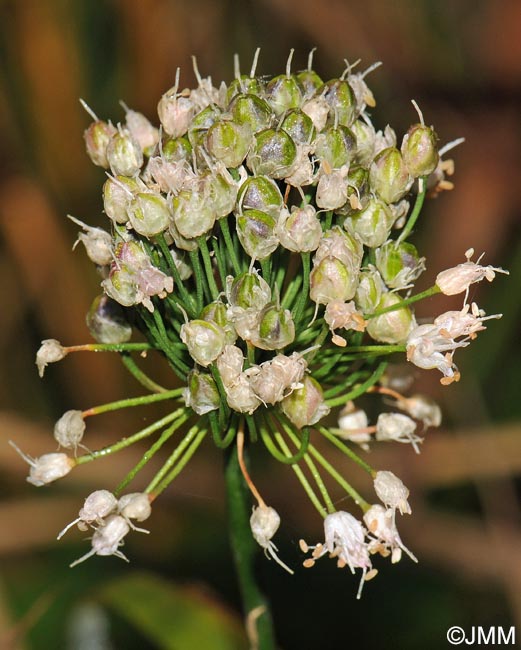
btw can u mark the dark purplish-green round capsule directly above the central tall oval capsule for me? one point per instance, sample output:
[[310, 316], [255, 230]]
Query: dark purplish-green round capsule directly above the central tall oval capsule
[[273, 153]]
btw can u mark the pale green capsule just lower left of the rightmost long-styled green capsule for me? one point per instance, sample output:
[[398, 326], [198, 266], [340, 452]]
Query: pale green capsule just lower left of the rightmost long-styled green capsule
[[389, 176]]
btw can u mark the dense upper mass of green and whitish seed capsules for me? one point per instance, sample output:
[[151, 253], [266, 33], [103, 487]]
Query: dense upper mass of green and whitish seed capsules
[[256, 207]]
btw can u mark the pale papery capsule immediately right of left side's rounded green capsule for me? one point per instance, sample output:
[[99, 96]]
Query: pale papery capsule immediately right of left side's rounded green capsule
[[193, 215]]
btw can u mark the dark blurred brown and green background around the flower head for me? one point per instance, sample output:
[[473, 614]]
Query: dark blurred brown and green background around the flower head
[[461, 61]]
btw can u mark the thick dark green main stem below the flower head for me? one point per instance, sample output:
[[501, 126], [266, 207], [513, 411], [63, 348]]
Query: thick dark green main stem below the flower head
[[245, 550]]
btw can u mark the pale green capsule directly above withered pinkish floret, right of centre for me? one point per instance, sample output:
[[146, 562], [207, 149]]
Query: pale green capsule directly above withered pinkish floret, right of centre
[[331, 280]]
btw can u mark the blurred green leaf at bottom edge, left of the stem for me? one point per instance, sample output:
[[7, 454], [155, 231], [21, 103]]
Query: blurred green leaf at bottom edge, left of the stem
[[173, 617]]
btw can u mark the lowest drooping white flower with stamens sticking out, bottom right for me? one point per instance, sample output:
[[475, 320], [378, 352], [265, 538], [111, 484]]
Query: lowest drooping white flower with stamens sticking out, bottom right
[[345, 540]]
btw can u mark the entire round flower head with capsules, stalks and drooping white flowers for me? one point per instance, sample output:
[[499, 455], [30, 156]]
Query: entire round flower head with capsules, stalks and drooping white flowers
[[258, 240]]
